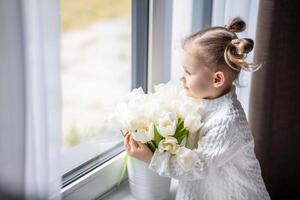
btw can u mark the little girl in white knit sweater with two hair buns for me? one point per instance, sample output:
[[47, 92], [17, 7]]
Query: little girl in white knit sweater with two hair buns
[[225, 165]]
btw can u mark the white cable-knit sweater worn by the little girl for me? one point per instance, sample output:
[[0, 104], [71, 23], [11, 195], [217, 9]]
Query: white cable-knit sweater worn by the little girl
[[226, 167]]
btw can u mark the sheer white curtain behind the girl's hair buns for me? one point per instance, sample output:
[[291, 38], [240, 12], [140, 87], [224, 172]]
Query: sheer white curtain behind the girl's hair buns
[[223, 11]]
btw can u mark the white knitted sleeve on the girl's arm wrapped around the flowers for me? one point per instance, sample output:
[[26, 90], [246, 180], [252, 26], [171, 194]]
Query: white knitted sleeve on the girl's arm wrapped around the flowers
[[216, 147]]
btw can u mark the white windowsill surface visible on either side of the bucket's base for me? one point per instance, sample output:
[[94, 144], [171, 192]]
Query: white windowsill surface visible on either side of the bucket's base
[[124, 193]]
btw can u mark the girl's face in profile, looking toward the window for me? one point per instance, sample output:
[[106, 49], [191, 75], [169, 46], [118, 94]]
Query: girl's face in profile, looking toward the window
[[197, 80]]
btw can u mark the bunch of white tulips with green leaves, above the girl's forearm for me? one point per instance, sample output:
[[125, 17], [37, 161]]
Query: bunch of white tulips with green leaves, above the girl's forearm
[[162, 120]]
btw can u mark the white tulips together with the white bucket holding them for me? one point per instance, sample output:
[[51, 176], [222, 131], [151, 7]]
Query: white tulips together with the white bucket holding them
[[166, 120]]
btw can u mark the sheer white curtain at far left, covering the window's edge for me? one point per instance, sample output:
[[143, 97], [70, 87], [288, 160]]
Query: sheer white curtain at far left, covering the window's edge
[[30, 119]]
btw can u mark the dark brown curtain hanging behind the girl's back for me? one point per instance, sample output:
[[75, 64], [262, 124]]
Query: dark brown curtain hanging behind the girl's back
[[274, 112]]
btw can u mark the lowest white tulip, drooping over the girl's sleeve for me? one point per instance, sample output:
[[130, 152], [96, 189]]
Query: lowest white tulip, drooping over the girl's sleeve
[[185, 158]]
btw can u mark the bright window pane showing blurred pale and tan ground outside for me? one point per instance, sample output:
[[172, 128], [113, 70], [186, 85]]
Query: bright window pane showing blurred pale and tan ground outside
[[96, 74]]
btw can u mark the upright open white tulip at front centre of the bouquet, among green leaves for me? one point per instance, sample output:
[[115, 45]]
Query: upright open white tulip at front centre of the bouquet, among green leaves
[[167, 124]]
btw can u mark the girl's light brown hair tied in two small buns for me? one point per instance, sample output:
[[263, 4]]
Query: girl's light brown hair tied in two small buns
[[220, 46]]
